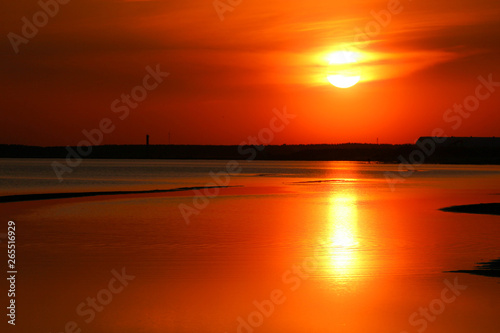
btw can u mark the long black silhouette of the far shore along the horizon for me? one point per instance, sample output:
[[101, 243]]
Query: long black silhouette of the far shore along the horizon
[[426, 150]]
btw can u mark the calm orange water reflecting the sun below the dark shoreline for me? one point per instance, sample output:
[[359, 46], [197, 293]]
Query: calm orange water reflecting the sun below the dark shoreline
[[330, 242]]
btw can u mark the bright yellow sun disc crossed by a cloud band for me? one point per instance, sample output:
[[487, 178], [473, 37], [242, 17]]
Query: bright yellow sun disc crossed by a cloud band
[[344, 71]]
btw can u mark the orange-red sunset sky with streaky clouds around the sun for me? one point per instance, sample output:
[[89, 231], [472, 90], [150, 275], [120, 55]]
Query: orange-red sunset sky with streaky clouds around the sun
[[226, 76]]
